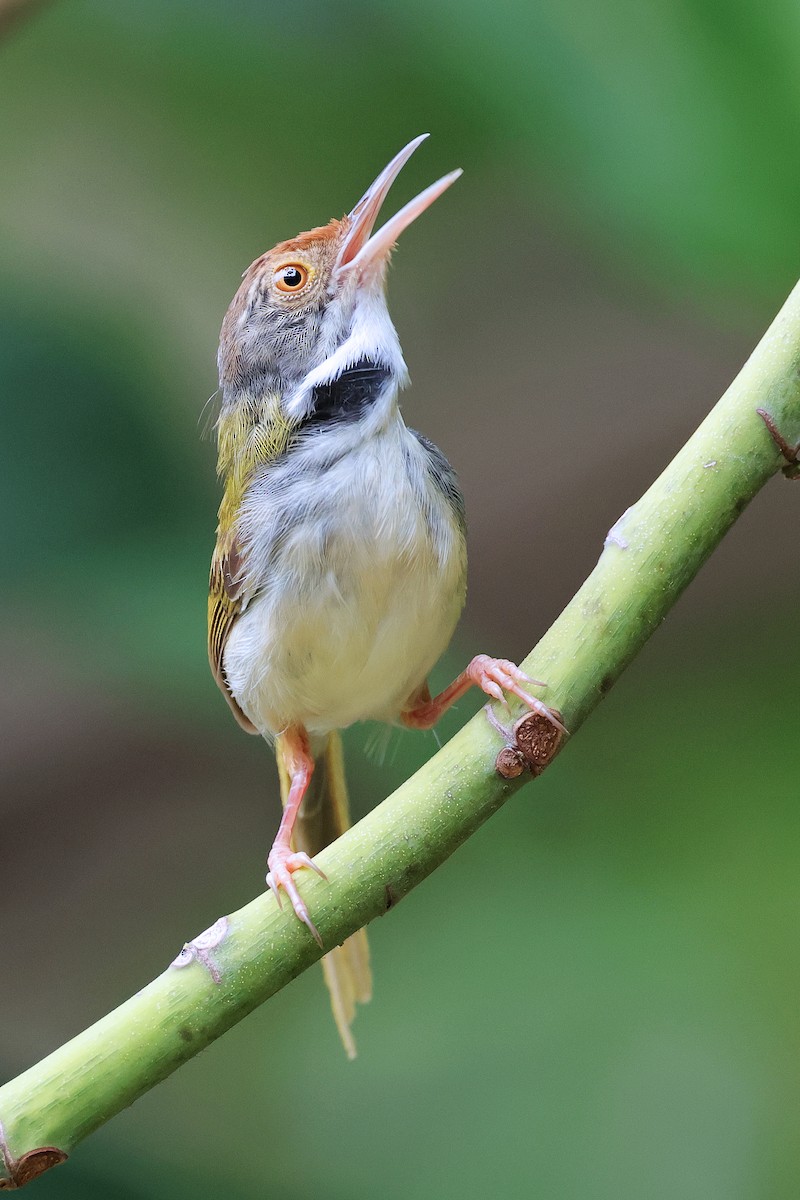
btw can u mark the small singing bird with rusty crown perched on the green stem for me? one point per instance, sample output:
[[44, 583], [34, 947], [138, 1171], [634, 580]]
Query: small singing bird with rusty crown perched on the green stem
[[340, 567]]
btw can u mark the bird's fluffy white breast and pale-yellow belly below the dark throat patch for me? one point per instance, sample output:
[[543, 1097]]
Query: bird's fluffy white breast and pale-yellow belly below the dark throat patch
[[356, 574]]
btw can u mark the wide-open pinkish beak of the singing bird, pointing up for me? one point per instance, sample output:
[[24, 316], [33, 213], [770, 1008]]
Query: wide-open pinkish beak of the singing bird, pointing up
[[368, 254]]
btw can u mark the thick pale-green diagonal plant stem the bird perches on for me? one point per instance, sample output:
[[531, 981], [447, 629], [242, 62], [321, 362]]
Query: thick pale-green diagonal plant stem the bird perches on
[[651, 556]]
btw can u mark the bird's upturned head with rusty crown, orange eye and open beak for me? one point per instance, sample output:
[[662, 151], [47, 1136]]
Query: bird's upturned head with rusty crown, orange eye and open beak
[[315, 307]]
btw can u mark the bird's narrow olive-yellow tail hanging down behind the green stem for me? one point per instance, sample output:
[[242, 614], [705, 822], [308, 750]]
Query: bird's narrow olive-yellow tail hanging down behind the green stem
[[323, 818]]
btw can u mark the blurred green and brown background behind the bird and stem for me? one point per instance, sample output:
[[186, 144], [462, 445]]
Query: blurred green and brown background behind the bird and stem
[[598, 998]]
